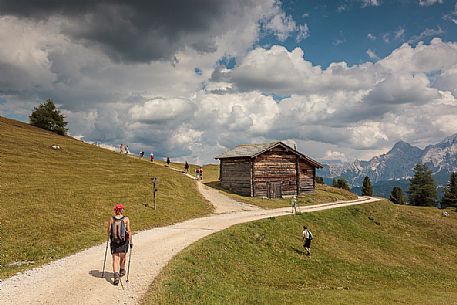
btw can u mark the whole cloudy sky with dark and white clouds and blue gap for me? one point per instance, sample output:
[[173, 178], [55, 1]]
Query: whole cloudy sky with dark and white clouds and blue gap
[[342, 79]]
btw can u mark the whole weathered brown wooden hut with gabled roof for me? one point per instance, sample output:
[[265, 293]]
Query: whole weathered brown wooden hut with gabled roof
[[268, 170]]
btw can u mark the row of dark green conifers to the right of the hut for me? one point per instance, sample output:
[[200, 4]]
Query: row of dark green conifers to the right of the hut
[[422, 189]]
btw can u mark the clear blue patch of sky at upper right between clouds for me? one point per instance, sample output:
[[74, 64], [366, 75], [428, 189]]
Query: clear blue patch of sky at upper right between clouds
[[346, 30]]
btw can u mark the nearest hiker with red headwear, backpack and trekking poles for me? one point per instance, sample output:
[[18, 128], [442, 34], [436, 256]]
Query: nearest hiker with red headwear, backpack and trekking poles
[[120, 237]]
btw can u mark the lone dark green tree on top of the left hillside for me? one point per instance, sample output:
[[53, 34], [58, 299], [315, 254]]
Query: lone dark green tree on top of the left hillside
[[47, 116]]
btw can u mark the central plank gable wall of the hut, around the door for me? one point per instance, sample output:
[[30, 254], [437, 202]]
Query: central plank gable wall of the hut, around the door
[[276, 165]]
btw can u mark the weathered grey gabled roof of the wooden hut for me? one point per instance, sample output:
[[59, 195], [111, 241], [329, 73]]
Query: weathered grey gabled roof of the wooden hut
[[253, 150]]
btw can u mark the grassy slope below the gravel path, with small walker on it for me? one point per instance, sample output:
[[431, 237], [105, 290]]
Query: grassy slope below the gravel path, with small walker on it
[[378, 253]]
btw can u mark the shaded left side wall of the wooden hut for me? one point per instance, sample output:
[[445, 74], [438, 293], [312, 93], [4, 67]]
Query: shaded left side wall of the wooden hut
[[236, 175]]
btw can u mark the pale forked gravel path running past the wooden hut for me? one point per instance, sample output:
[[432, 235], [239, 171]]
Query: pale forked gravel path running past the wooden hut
[[77, 279]]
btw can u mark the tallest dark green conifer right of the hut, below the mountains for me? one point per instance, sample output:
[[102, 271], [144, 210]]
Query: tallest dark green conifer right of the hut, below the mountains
[[422, 188]]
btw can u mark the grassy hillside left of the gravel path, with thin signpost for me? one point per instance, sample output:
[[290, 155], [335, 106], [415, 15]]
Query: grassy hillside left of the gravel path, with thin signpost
[[56, 202]]
